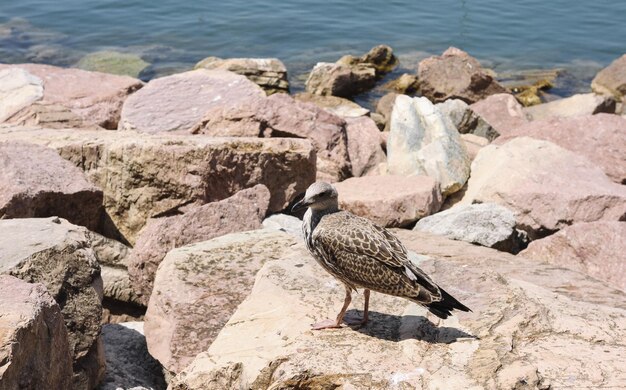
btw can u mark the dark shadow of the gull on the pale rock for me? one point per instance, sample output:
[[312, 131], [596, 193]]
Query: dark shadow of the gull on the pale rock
[[398, 328]]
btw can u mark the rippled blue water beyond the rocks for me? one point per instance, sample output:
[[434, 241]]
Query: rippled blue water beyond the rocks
[[174, 35]]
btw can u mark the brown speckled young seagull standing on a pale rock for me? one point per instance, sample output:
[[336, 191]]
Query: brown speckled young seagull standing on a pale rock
[[361, 254]]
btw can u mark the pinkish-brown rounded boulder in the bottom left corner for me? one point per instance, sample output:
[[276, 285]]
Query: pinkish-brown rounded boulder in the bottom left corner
[[34, 351]]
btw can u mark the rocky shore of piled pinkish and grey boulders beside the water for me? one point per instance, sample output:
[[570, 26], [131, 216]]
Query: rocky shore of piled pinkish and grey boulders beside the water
[[146, 239]]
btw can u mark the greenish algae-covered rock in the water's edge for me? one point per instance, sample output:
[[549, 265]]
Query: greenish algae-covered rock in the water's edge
[[114, 62]]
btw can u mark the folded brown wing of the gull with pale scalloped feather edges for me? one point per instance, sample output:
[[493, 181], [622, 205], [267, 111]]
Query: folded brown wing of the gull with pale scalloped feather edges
[[343, 235]]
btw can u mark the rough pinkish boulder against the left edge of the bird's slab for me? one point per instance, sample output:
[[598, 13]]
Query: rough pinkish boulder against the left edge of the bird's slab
[[199, 286]]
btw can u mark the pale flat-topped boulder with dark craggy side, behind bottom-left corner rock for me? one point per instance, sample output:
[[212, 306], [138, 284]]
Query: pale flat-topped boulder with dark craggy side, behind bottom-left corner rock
[[57, 254]]
